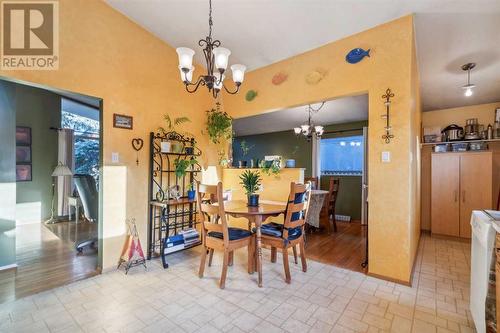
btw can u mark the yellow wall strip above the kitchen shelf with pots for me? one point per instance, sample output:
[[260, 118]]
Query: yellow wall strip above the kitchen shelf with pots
[[485, 114]]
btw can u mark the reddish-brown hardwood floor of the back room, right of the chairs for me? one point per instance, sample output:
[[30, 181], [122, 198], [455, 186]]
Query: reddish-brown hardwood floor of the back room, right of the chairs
[[344, 248]]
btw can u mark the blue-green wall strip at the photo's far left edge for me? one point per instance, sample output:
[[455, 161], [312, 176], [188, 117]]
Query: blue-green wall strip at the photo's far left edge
[[7, 175]]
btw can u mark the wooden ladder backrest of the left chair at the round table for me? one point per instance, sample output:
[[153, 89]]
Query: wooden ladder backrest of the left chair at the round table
[[211, 204]]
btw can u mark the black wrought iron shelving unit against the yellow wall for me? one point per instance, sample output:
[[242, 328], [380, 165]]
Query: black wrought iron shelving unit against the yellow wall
[[167, 216]]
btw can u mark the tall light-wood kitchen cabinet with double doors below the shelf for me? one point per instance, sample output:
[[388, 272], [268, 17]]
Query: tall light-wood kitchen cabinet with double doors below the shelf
[[460, 183]]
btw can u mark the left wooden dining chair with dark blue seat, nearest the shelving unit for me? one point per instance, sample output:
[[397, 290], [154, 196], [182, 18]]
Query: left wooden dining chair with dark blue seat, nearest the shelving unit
[[216, 234]]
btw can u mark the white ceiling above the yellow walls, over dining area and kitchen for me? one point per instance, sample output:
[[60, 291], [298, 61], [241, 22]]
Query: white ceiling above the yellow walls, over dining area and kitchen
[[261, 32]]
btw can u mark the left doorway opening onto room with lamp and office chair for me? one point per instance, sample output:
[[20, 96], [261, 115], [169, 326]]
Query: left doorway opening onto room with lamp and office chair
[[56, 168]]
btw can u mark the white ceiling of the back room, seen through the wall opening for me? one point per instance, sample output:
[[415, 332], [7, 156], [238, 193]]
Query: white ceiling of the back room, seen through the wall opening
[[338, 111]]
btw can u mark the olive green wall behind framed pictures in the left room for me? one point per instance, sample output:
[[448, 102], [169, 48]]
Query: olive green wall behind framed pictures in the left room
[[40, 110]]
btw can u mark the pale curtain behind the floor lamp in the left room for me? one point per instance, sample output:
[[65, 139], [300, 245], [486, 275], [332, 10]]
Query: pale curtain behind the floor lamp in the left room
[[66, 143]]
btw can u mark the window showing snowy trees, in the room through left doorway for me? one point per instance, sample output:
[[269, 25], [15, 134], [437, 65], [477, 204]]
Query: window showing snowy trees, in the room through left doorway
[[86, 137]]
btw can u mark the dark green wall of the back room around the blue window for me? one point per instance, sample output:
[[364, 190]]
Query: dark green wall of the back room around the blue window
[[283, 143]]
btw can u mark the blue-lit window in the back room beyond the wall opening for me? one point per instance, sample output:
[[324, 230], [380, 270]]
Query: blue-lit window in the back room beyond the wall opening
[[342, 156]]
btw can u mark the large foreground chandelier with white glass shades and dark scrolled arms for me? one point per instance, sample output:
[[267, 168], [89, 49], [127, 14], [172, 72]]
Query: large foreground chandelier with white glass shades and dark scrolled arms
[[217, 59]]
